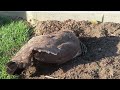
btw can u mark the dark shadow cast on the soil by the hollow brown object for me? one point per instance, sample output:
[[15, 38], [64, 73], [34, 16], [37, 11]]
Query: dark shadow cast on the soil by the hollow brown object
[[98, 48]]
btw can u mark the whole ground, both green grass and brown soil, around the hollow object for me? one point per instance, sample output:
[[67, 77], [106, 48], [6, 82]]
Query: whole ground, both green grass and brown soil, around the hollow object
[[100, 62]]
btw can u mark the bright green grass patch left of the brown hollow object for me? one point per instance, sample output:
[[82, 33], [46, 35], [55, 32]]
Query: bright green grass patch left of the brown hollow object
[[13, 34]]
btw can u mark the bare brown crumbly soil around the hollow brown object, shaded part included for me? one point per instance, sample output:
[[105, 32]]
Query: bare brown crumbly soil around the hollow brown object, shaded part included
[[102, 61]]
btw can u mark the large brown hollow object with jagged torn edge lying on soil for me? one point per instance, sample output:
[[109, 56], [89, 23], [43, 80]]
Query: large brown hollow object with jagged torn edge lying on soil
[[58, 47]]
